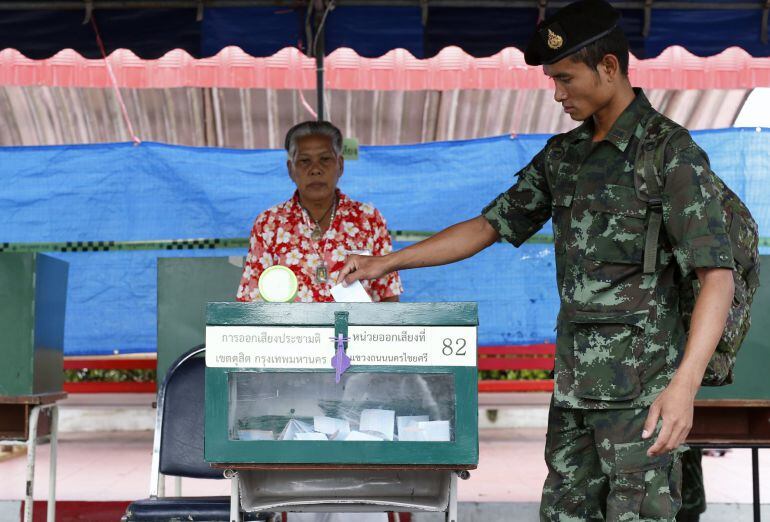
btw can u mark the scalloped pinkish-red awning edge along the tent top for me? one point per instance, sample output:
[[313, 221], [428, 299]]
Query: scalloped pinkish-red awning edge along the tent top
[[397, 70]]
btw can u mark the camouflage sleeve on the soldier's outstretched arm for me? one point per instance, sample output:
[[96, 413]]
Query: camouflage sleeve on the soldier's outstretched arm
[[519, 212]]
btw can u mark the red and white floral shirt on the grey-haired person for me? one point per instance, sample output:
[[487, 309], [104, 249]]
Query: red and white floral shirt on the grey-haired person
[[282, 236]]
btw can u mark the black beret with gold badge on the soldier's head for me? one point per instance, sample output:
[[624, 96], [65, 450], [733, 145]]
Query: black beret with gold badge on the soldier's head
[[569, 30]]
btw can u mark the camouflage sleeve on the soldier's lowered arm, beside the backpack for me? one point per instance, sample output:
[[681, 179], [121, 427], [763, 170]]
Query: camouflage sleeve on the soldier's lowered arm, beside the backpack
[[692, 209]]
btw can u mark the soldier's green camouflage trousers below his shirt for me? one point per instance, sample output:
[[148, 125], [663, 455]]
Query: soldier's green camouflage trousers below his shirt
[[598, 469]]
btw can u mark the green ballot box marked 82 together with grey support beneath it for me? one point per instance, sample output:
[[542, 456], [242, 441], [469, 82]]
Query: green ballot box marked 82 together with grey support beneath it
[[394, 429]]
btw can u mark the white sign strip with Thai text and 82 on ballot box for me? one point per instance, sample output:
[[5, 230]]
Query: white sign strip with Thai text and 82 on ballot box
[[313, 348]]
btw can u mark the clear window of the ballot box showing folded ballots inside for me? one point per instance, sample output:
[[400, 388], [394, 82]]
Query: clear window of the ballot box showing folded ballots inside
[[364, 406]]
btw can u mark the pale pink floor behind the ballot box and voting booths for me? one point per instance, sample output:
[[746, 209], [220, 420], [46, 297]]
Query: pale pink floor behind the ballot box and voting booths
[[116, 466]]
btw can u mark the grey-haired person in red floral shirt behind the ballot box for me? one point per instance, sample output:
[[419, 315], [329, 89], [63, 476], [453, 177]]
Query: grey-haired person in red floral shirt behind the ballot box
[[318, 226]]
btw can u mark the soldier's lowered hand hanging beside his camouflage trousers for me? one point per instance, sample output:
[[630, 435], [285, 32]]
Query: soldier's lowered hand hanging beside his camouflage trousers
[[675, 405]]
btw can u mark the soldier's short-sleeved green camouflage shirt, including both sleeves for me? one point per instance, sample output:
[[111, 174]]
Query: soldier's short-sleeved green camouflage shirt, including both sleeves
[[620, 334]]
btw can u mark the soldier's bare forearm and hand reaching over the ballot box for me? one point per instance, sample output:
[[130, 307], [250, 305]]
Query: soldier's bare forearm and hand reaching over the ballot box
[[452, 244]]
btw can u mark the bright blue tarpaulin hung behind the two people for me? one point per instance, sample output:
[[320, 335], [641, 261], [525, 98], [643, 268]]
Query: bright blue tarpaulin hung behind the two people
[[123, 192]]
